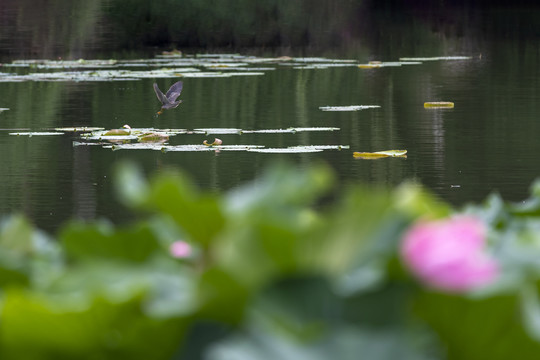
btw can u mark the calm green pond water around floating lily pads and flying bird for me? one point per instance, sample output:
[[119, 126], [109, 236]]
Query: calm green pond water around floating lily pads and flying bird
[[487, 142]]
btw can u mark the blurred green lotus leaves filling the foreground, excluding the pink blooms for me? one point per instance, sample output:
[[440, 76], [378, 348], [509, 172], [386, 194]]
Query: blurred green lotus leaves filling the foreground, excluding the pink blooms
[[276, 273]]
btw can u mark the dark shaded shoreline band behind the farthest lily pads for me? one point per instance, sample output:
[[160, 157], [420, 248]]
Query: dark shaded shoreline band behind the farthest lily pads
[[102, 28]]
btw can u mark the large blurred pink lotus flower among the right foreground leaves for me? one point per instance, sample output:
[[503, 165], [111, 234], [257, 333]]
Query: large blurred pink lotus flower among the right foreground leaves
[[449, 254]]
